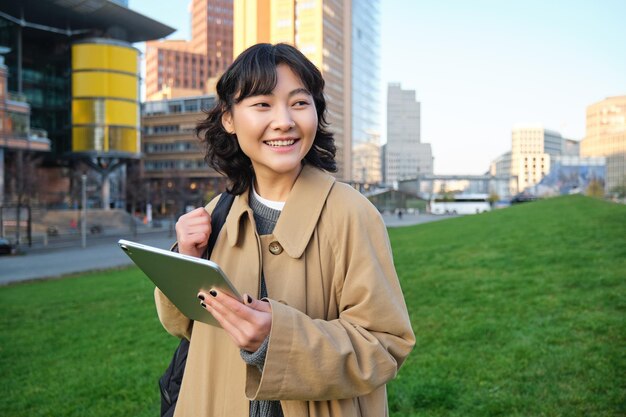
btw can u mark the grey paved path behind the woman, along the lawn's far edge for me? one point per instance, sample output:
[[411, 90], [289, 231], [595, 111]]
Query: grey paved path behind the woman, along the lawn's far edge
[[103, 253]]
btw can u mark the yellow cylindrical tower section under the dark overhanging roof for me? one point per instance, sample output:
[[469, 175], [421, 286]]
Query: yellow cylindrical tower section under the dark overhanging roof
[[105, 98]]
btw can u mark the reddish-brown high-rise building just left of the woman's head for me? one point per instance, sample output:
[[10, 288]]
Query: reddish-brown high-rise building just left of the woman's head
[[180, 68]]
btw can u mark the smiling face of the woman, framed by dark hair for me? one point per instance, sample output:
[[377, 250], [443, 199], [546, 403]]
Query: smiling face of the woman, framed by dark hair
[[275, 131]]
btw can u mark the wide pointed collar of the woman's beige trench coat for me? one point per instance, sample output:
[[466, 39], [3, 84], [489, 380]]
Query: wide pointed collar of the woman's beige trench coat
[[299, 216]]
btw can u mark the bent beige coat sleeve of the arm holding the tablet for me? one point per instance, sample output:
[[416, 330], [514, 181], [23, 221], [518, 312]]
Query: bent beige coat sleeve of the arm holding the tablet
[[312, 359]]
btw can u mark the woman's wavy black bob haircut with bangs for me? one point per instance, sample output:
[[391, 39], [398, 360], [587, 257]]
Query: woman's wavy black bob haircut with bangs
[[254, 73]]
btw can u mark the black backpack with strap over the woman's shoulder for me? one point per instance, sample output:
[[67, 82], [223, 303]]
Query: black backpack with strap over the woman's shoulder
[[172, 379]]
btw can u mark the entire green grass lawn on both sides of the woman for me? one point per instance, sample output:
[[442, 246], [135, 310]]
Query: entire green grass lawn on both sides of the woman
[[517, 312]]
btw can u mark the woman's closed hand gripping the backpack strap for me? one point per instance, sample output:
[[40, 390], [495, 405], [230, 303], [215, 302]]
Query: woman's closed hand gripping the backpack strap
[[192, 232]]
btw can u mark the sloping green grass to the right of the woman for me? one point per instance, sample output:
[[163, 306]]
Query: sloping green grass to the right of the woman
[[517, 312]]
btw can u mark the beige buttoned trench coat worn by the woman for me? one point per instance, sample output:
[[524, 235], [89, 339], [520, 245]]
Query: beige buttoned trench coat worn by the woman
[[340, 327]]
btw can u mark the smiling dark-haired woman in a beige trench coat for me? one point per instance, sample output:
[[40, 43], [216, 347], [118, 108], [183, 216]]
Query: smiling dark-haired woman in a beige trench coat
[[323, 325]]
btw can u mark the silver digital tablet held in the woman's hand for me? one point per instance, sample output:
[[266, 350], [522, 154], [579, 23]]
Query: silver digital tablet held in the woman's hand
[[180, 277]]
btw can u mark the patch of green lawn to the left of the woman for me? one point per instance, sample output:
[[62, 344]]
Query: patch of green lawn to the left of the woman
[[82, 346]]
